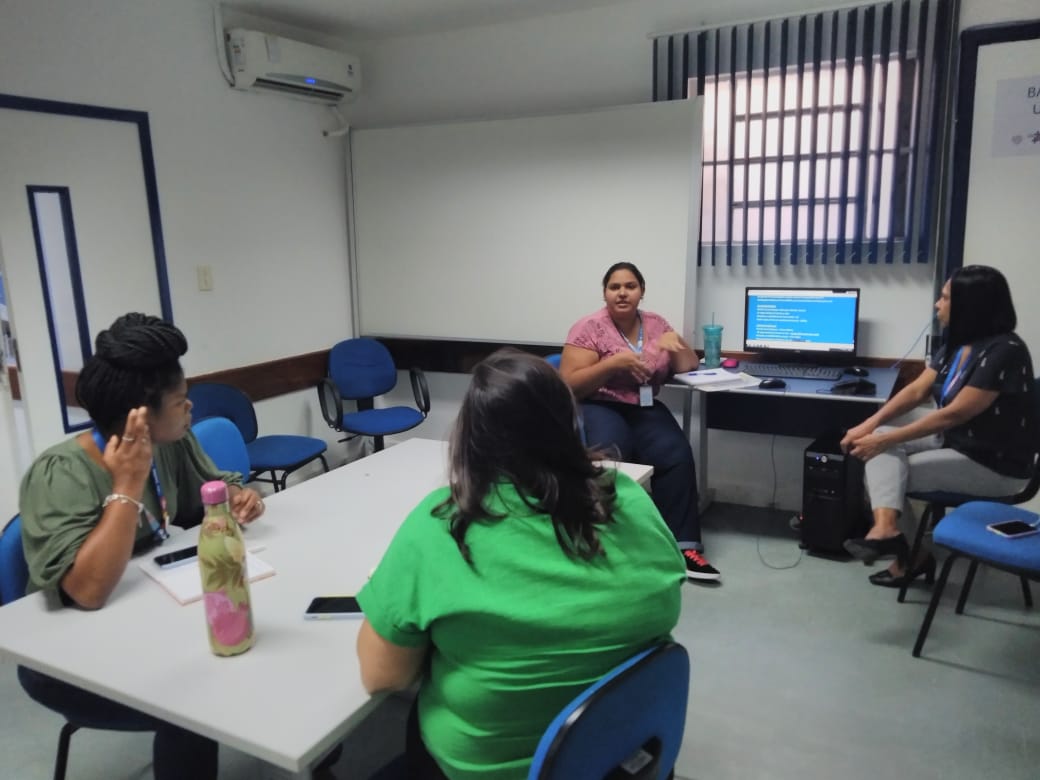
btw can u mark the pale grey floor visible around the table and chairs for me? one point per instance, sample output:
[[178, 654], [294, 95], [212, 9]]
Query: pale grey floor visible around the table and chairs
[[799, 673]]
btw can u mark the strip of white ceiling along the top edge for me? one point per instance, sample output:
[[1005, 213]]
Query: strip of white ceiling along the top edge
[[373, 19]]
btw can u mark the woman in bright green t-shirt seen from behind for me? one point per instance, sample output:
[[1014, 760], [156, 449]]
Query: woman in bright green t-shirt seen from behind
[[511, 591]]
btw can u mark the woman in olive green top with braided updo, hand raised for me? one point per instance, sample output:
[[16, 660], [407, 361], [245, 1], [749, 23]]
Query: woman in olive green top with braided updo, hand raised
[[89, 504]]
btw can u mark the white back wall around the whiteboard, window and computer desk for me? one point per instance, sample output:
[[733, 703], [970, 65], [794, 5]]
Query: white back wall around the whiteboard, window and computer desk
[[604, 58]]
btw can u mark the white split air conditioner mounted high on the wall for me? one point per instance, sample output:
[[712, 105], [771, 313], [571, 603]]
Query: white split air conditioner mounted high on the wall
[[263, 62]]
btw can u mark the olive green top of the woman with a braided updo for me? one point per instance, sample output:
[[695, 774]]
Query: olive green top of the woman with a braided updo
[[63, 491]]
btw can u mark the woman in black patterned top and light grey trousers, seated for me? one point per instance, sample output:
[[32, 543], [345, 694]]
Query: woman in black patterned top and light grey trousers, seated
[[979, 439]]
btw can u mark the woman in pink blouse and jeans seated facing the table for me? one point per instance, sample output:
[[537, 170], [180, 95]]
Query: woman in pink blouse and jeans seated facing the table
[[616, 360]]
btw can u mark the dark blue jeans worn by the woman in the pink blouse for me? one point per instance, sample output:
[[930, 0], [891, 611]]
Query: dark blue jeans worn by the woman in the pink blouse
[[651, 435]]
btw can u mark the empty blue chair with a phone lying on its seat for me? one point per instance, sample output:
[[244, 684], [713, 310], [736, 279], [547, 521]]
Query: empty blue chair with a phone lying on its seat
[[964, 533]]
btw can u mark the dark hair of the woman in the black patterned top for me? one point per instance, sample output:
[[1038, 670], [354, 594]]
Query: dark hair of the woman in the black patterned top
[[980, 306]]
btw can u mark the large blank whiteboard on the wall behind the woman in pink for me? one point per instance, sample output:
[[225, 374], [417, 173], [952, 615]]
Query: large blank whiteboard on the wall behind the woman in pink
[[503, 229]]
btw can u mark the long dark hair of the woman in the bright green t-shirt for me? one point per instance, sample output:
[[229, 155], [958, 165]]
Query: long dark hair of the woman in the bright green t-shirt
[[518, 423]]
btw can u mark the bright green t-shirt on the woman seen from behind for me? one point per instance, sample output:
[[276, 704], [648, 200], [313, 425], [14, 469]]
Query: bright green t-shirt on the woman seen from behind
[[519, 635]]
